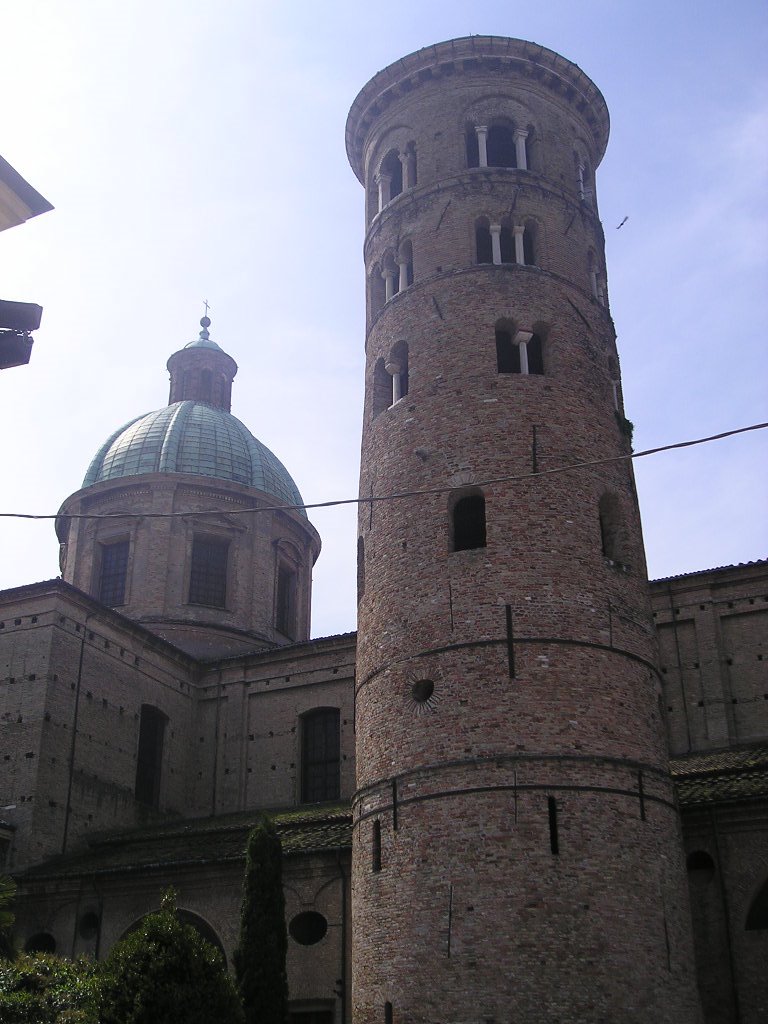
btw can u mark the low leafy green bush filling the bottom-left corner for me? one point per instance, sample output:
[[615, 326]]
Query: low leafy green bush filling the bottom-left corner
[[38, 989]]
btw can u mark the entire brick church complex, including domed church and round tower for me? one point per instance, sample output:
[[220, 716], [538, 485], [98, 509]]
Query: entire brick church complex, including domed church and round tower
[[475, 792]]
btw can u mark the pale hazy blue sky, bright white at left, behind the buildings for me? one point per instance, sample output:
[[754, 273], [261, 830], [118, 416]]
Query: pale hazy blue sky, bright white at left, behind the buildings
[[195, 150]]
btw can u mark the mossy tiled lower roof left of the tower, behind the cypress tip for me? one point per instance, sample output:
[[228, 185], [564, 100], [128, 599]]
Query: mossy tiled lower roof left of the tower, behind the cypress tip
[[203, 841]]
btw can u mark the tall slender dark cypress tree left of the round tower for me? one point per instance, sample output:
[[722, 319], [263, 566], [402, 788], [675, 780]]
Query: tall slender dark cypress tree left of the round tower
[[261, 957]]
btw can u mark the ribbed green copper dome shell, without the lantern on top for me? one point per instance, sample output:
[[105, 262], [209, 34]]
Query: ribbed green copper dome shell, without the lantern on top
[[193, 438]]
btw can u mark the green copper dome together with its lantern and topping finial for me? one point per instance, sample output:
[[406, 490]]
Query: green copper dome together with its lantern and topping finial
[[196, 434]]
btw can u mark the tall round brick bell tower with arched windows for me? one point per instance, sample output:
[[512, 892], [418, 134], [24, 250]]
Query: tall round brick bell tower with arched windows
[[517, 852]]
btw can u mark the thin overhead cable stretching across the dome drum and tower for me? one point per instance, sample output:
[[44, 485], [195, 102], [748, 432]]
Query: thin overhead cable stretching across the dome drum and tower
[[399, 496]]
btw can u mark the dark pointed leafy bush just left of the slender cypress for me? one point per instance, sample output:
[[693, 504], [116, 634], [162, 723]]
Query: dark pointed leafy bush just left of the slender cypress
[[165, 973]]
